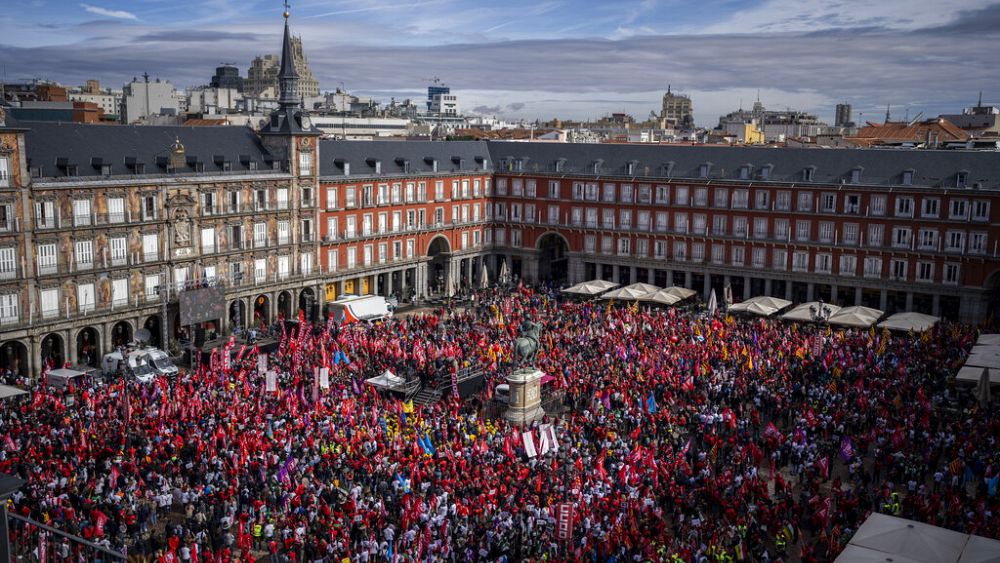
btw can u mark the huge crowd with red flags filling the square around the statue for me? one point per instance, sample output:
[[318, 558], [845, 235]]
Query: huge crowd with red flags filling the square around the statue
[[682, 437]]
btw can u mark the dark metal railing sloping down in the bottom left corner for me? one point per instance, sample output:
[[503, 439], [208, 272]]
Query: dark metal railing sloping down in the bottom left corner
[[31, 541]]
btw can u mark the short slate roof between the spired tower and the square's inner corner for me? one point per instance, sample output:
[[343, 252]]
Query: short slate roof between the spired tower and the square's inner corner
[[340, 159]]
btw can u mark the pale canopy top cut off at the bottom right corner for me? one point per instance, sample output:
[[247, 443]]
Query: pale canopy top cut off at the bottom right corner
[[888, 538]]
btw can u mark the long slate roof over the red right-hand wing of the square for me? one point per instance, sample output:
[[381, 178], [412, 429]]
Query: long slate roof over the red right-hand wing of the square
[[878, 167]]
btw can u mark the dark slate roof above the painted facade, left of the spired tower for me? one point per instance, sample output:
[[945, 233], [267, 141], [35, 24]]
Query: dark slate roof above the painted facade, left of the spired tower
[[64, 150]]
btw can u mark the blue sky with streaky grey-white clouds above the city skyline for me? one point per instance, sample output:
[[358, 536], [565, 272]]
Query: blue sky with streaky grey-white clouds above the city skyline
[[543, 58]]
